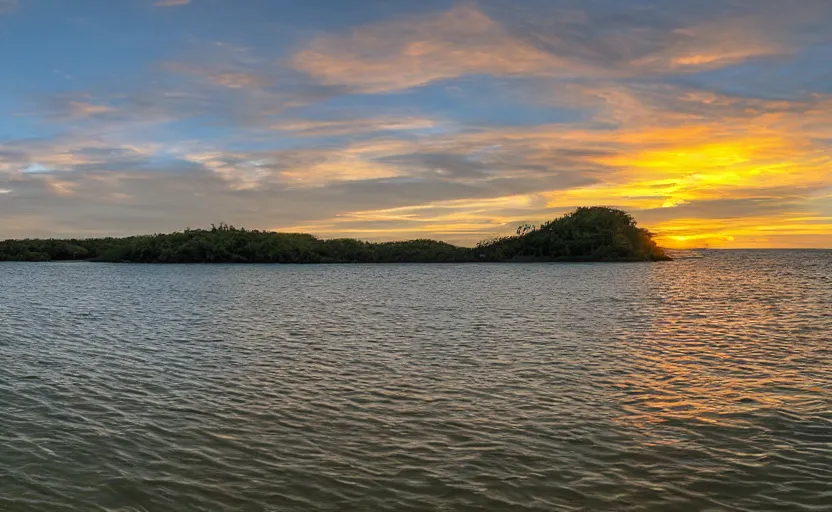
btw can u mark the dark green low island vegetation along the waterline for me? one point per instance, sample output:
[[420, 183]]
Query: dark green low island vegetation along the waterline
[[588, 234]]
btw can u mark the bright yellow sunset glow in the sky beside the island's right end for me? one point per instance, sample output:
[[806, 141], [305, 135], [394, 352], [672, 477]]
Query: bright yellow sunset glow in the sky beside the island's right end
[[752, 167]]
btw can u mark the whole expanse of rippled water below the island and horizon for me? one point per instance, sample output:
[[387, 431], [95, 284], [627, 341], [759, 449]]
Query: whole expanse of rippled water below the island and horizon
[[701, 384]]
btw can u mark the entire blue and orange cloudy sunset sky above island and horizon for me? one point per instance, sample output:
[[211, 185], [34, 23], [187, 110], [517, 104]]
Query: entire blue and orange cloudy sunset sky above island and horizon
[[710, 120]]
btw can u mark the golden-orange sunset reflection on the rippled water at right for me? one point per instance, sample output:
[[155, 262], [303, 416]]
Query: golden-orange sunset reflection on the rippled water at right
[[721, 349]]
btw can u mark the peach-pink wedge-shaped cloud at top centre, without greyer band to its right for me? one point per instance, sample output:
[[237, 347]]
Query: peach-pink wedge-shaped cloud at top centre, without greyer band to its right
[[401, 54]]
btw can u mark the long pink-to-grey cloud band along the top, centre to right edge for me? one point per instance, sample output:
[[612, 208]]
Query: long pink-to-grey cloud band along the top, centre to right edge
[[407, 53]]
